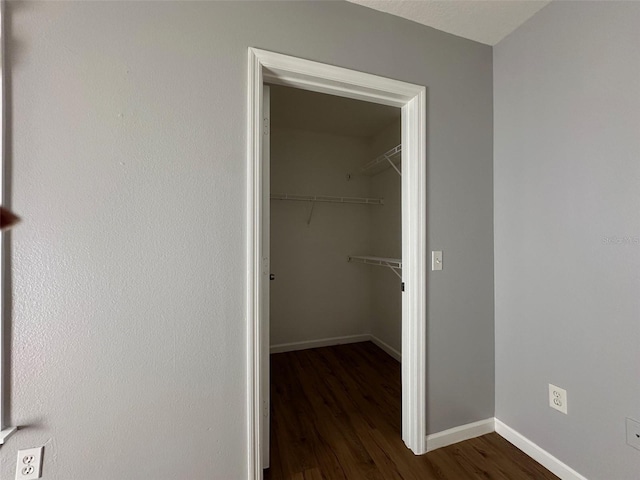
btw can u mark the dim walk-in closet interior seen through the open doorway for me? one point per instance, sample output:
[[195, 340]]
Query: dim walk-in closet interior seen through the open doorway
[[335, 298]]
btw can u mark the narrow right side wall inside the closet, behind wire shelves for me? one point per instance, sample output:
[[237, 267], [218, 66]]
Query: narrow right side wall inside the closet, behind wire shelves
[[386, 241]]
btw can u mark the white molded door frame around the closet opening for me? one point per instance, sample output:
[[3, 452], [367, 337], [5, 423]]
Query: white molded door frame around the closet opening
[[281, 69]]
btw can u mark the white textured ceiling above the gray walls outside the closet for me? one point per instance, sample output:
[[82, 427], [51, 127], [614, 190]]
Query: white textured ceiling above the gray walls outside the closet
[[485, 21]]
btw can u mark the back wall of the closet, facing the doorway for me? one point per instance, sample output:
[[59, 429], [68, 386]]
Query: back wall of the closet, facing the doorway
[[317, 294]]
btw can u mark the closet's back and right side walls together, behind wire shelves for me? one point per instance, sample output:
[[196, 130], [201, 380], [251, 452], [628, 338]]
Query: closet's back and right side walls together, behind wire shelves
[[317, 294]]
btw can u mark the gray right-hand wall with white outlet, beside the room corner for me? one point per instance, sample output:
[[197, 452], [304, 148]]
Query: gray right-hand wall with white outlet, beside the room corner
[[567, 246]]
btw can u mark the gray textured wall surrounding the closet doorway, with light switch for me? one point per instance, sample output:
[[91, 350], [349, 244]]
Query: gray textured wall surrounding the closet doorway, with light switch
[[128, 134]]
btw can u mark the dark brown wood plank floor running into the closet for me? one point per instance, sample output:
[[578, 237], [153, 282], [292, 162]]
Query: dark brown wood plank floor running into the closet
[[336, 415]]
